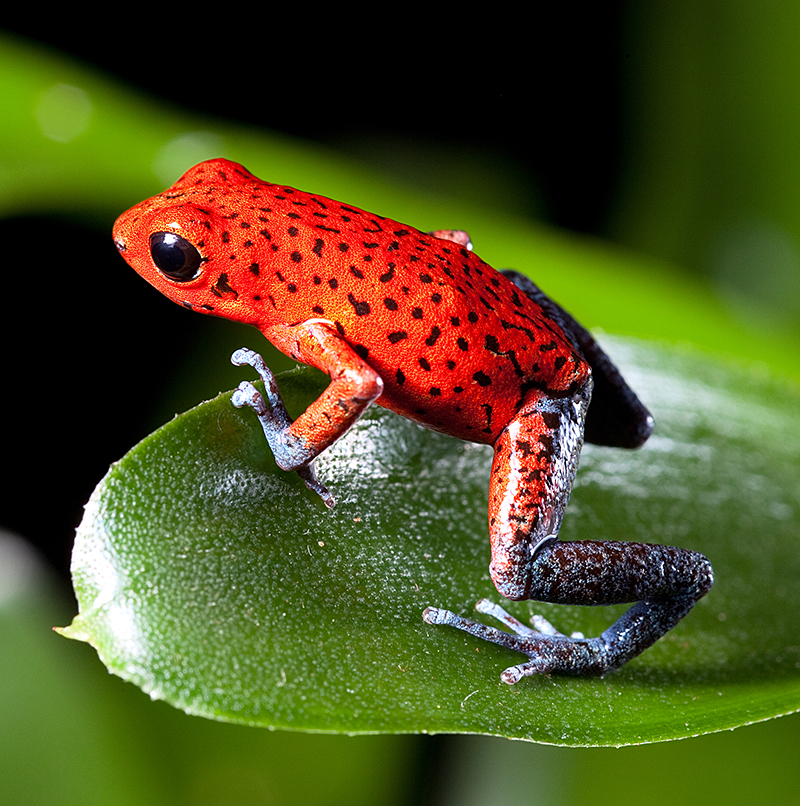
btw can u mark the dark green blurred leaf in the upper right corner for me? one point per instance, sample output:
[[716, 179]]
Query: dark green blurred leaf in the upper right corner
[[711, 164]]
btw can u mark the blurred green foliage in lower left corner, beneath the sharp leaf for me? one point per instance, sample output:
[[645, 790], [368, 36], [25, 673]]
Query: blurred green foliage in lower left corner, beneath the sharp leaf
[[71, 734]]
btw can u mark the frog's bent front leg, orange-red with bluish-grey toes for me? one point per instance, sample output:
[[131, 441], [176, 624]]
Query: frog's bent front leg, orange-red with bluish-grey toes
[[354, 385]]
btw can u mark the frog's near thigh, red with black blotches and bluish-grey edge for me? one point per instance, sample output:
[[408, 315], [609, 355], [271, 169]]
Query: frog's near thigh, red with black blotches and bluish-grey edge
[[534, 466]]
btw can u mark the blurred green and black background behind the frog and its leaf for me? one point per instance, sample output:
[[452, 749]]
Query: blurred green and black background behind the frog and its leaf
[[653, 153]]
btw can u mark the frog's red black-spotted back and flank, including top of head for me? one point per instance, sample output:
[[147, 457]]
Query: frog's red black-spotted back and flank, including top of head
[[457, 344]]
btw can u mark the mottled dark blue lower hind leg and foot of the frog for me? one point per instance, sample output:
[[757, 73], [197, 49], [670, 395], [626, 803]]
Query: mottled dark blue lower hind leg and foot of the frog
[[665, 583]]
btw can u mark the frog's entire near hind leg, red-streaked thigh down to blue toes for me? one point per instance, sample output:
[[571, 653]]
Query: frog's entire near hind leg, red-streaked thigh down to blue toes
[[535, 461]]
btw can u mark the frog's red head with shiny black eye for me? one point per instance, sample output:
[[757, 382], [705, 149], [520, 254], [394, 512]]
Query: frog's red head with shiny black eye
[[188, 243]]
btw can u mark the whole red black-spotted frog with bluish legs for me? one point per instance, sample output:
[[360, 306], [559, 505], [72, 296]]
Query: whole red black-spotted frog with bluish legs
[[418, 323]]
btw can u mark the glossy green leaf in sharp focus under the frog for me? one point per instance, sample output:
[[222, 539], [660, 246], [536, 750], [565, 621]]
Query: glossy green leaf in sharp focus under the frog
[[216, 582]]
